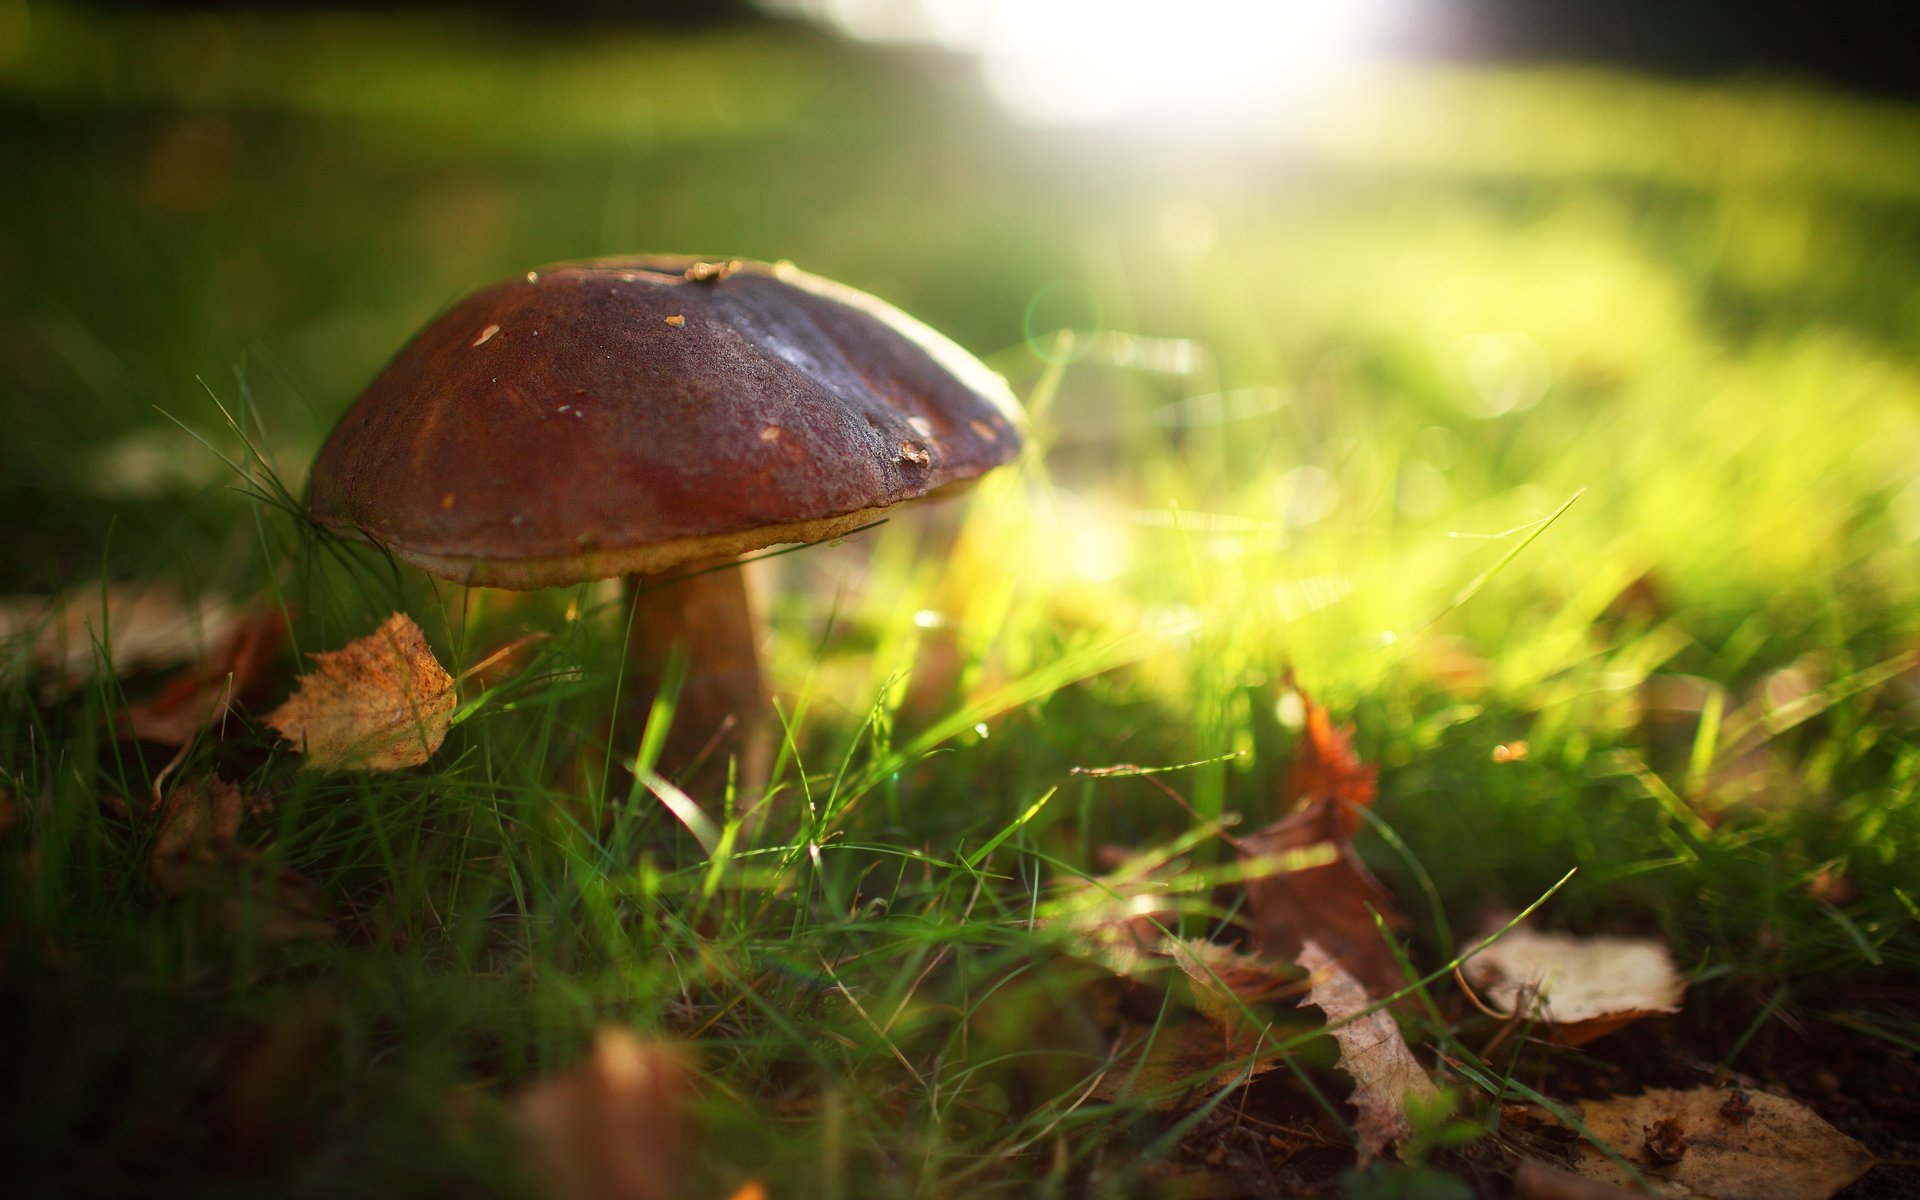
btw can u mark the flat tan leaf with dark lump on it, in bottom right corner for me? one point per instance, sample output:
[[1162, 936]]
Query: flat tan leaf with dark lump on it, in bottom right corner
[[1777, 1153]]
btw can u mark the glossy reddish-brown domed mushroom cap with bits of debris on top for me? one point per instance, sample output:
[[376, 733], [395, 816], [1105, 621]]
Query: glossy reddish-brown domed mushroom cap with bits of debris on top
[[629, 416]]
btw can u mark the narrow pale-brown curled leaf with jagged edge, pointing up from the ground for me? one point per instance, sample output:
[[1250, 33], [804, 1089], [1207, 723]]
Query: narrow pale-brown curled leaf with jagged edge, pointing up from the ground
[[1372, 1051]]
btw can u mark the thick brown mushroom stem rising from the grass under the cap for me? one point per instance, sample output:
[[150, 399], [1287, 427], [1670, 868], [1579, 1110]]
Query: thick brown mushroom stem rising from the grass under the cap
[[723, 711]]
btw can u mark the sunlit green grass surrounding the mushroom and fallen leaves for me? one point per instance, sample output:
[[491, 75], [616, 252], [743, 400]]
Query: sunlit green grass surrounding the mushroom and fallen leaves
[[1426, 325]]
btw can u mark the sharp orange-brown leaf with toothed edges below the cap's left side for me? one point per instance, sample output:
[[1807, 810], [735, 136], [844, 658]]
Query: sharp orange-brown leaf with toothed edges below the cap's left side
[[379, 704]]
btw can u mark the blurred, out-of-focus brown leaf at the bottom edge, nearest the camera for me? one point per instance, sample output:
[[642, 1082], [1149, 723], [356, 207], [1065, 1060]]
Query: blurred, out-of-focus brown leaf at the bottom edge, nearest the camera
[[613, 1128]]
